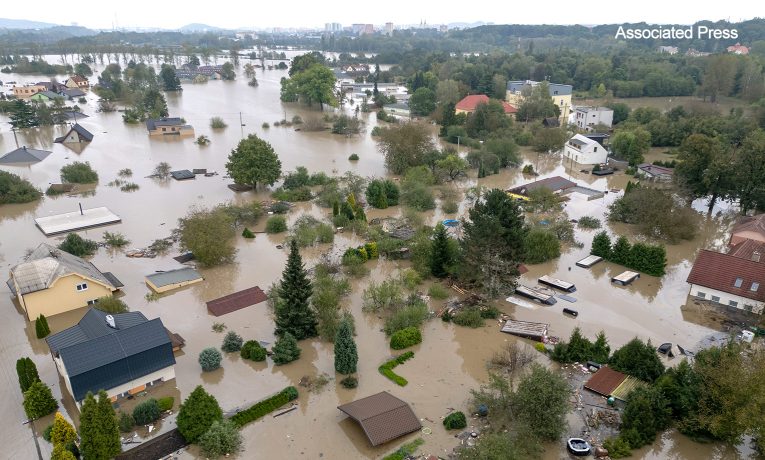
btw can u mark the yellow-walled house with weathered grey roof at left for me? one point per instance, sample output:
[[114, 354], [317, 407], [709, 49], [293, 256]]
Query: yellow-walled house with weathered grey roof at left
[[52, 281]]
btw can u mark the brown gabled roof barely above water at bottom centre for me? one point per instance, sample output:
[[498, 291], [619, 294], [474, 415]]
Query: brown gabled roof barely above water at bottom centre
[[382, 416]]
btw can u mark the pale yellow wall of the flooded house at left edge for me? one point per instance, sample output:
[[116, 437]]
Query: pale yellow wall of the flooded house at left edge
[[62, 296]]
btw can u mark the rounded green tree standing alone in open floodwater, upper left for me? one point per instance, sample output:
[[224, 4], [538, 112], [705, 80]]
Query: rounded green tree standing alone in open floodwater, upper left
[[253, 161]]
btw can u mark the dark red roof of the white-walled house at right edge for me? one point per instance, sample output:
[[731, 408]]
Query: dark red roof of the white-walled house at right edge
[[719, 271]]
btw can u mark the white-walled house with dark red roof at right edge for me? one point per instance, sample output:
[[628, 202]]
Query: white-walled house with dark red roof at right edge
[[726, 279]]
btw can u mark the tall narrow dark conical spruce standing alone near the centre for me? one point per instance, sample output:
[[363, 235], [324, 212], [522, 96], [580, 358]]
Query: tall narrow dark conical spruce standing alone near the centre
[[293, 312]]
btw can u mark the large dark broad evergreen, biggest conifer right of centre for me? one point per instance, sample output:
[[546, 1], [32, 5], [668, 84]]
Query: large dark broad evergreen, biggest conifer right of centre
[[493, 244]]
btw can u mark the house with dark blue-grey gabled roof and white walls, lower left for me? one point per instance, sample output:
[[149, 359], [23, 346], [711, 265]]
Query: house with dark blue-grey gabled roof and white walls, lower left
[[122, 354]]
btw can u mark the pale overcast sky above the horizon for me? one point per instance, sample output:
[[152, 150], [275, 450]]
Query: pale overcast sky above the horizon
[[314, 13]]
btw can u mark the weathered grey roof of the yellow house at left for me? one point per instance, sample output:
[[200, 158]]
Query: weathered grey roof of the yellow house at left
[[46, 264]]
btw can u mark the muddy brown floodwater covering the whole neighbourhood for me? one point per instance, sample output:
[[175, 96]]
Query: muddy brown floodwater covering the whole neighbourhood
[[449, 362]]
